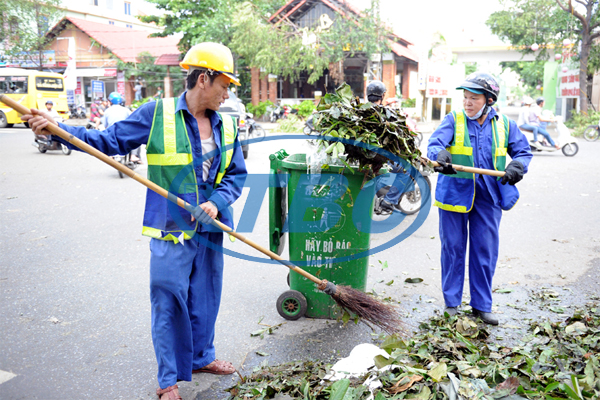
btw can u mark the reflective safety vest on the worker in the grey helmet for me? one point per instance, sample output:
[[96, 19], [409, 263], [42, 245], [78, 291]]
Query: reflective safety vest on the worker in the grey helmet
[[457, 192]]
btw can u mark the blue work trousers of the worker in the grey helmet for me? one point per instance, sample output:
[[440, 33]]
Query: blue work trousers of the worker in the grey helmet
[[480, 227]]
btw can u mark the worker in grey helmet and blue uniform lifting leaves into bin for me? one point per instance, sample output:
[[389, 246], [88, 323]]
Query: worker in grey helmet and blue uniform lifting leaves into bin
[[471, 204]]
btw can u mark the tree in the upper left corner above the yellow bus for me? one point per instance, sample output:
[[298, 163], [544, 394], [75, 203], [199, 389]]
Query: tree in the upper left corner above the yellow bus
[[23, 27]]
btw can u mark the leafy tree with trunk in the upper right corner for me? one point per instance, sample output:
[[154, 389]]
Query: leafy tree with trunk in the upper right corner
[[550, 22]]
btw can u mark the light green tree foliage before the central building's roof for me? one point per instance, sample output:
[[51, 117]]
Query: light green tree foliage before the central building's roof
[[287, 50]]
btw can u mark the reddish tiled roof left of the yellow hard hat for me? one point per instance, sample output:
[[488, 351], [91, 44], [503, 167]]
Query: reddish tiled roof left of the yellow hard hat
[[125, 43]]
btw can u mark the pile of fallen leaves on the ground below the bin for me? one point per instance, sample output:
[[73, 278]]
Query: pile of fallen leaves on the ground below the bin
[[451, 358]]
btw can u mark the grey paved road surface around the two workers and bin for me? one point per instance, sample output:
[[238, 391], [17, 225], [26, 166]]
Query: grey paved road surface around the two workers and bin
[[75, 317]]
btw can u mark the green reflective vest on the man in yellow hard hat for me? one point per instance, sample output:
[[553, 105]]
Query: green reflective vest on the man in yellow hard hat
[[169, 151]]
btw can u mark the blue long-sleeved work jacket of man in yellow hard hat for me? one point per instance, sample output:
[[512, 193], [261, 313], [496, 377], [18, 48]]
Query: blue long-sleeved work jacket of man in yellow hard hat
[[129, 134]]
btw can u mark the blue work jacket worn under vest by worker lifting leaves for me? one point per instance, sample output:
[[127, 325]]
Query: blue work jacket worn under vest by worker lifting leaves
[[481, 137]]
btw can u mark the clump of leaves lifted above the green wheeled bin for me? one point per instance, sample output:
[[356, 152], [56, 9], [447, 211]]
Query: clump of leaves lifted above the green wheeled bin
[[341, 115]]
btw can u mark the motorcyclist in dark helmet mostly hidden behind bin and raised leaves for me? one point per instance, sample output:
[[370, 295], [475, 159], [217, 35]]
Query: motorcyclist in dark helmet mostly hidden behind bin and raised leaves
[[376, 90]]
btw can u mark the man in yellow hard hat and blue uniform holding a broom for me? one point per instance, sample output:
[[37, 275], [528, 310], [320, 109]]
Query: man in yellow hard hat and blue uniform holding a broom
[[193, 152]]
